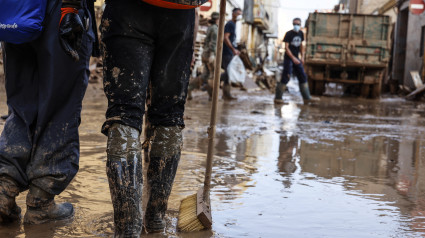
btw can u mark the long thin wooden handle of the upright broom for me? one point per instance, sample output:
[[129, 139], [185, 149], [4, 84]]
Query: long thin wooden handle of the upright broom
[[213, 120]]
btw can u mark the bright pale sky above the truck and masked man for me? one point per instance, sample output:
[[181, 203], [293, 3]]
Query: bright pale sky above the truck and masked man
[[289, 9]]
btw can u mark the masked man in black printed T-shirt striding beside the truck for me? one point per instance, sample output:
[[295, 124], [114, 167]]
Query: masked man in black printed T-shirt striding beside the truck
[[292, 63]]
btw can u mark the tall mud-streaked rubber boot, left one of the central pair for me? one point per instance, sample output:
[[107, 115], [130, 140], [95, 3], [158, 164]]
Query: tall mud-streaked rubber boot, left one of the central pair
[[125, 177]]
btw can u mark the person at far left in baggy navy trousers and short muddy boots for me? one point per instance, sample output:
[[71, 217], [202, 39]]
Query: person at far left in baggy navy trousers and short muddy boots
[[45, 84]]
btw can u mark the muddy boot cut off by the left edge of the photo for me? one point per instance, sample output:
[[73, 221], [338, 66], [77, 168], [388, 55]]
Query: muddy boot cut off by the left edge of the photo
[[9, 211]]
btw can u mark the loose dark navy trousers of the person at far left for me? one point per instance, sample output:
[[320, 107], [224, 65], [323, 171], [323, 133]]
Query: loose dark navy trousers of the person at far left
[[45, 88]]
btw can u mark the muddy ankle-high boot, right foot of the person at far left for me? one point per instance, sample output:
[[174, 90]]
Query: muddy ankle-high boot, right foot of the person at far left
[[41, 207]]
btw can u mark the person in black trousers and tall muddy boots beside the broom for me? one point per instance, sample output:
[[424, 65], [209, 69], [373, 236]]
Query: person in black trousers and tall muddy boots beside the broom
[[148, 53]]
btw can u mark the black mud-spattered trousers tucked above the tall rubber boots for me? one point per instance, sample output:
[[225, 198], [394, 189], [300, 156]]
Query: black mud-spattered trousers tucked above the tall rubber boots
[[148, 51]]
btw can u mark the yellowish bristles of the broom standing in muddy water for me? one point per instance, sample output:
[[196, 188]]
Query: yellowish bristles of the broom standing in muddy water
[[188, 219]]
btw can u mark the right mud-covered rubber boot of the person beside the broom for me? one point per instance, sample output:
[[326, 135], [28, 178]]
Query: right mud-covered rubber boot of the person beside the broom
[[164, 159]]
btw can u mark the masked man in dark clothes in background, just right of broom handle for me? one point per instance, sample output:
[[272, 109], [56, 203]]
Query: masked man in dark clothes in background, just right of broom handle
[[229, 50]]
